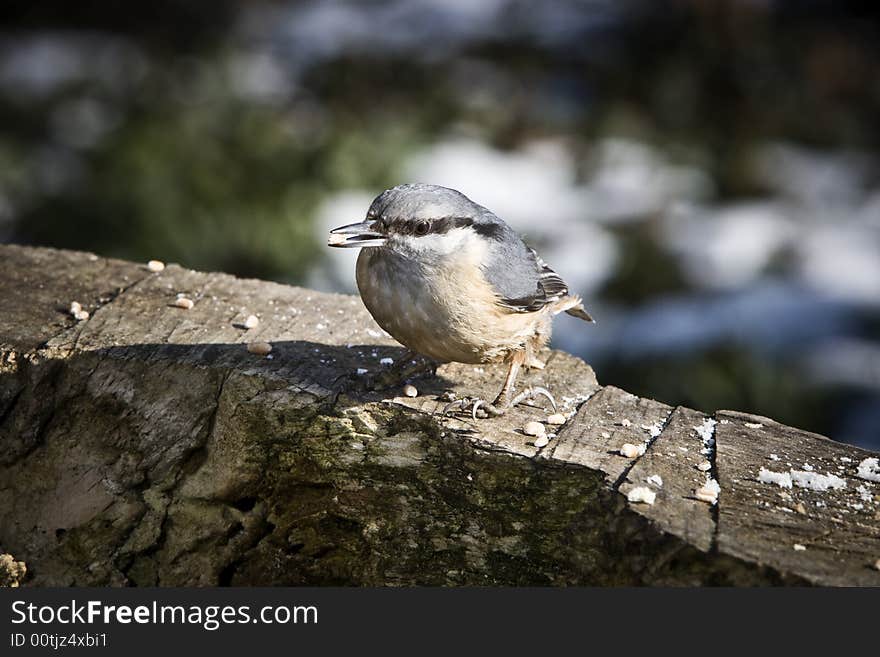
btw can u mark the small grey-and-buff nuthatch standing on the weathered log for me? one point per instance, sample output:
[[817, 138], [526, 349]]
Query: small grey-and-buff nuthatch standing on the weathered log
[[450, 280]]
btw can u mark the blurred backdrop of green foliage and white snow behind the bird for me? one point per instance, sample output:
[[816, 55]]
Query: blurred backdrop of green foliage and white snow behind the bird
[[709, 202]]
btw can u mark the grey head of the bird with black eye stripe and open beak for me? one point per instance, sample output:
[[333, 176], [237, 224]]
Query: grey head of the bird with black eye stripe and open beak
[[420, 219]]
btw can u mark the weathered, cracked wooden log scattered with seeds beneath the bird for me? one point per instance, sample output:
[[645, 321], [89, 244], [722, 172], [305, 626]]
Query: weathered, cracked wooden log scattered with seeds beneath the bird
[[146, 446]]
